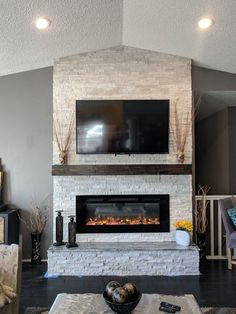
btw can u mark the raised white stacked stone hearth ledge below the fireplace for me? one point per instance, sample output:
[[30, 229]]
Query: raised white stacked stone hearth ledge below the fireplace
[[124, 259]]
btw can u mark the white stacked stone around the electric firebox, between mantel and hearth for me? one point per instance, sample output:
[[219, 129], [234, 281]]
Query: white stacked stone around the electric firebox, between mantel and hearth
[[179, 187]]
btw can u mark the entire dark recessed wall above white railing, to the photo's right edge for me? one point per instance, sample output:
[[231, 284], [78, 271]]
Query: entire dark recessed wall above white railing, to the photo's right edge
[[216, 151]]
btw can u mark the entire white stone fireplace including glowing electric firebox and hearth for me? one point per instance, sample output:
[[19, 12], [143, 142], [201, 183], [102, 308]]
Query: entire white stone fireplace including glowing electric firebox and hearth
[[146, 205]]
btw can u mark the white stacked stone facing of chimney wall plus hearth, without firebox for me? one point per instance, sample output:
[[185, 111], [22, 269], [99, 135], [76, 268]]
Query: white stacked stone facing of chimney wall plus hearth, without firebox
[[123, 73]]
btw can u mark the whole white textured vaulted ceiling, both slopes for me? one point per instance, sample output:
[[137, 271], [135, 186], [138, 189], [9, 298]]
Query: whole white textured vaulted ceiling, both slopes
[[168, 26]]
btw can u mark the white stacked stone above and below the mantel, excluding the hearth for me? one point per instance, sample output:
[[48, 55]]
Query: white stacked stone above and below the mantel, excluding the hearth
[[123, 73]]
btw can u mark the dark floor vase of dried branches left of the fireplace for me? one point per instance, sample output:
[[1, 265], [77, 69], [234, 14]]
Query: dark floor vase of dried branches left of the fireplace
[[36, 223]]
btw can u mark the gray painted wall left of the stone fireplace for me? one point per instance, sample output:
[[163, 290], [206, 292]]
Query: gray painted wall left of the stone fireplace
[[26, 142]]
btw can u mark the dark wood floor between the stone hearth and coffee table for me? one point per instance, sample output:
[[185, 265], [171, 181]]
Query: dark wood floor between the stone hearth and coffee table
[[217, 287]]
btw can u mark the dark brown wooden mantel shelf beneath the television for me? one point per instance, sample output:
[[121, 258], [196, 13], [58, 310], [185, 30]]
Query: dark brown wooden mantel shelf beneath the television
[[88, 170]]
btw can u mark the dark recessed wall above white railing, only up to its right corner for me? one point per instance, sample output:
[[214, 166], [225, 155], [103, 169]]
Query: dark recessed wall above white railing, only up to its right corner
[[212, 152]]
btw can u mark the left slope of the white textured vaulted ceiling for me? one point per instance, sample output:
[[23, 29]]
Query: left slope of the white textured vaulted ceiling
[[77, 26]]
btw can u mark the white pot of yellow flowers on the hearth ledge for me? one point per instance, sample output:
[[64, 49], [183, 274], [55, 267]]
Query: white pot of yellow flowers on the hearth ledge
[[183, 232]]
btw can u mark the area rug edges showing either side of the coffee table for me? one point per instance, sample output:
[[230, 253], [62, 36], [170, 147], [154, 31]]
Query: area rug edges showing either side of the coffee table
[[205, 310]]
